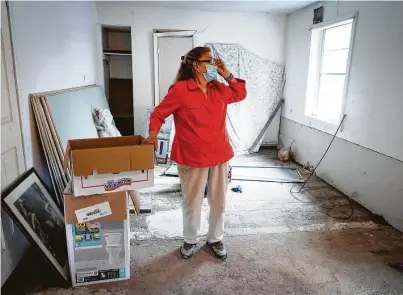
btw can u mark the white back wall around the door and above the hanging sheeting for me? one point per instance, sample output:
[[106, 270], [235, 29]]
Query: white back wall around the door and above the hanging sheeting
[[261, 33]]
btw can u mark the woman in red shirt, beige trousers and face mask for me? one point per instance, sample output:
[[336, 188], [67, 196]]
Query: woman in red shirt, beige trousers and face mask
[[201, 145]]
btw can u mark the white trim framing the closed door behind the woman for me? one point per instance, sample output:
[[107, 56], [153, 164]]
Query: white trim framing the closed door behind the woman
[[168, 34]]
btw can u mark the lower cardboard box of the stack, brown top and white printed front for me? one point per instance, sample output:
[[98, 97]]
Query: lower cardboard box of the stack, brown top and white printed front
[[99, 249]]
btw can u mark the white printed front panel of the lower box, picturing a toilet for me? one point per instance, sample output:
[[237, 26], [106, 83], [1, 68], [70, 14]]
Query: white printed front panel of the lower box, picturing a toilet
[[98, 252]]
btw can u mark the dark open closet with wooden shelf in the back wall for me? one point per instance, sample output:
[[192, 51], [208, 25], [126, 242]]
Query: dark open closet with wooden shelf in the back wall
[[118, 76]]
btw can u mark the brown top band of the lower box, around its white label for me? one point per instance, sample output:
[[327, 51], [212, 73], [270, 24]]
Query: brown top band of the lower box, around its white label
[[117, 202]]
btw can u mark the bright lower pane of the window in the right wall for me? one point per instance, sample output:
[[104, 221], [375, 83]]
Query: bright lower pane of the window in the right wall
[[330, 97]]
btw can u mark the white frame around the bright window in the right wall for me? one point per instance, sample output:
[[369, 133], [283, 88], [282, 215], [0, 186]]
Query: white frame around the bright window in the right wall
[[313, 82]]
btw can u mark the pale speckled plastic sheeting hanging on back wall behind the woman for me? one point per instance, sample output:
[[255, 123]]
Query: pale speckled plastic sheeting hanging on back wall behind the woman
[[248, 120]]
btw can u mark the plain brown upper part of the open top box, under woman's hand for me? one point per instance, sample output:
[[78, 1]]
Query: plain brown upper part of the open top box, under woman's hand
[[109, 155]]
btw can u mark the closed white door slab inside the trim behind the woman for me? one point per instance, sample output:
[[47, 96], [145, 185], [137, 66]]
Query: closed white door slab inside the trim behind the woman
[[170, 50]]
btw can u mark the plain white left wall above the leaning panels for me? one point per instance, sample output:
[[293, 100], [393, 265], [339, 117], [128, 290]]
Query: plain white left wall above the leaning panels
[[55, 48]]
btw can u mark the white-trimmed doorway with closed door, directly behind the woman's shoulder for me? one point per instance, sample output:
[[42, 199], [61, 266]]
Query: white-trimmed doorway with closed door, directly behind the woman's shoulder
[[169, 46]]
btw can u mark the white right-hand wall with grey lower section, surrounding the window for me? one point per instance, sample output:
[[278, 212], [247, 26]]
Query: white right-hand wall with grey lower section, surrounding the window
[[367, 156]]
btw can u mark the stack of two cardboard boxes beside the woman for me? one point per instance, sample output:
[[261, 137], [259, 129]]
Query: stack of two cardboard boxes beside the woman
[[96, 205]]
